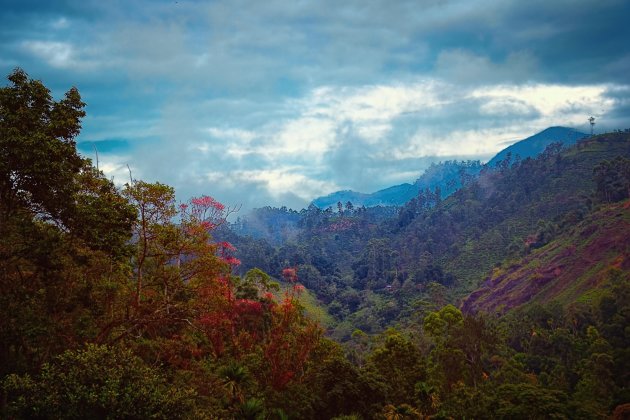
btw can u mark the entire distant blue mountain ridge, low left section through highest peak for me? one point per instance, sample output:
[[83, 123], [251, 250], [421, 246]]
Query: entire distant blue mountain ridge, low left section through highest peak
[[447, 175]]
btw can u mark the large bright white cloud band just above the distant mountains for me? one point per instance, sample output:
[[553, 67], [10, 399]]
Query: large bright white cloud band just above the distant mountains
[[373, 136]]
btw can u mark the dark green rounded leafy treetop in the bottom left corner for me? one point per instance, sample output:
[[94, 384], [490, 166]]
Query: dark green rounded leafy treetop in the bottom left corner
[[97, 382]]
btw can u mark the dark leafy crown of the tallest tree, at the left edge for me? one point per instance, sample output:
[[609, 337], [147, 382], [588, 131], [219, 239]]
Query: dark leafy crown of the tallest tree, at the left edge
[[38, 158]]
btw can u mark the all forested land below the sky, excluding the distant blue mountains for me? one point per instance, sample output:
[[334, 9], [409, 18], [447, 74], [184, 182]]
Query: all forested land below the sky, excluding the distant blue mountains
[[509, 298]]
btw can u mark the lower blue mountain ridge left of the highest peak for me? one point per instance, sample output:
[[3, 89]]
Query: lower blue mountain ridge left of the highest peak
[[446, 176]]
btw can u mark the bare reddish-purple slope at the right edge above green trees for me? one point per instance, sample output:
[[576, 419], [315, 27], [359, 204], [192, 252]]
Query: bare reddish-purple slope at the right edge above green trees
[[567, 269]]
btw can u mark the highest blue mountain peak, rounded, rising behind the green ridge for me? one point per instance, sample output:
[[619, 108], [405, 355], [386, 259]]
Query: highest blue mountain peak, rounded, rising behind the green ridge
[[536, 144]]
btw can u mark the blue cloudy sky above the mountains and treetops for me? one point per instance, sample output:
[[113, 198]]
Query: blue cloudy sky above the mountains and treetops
[[278, 102]]
